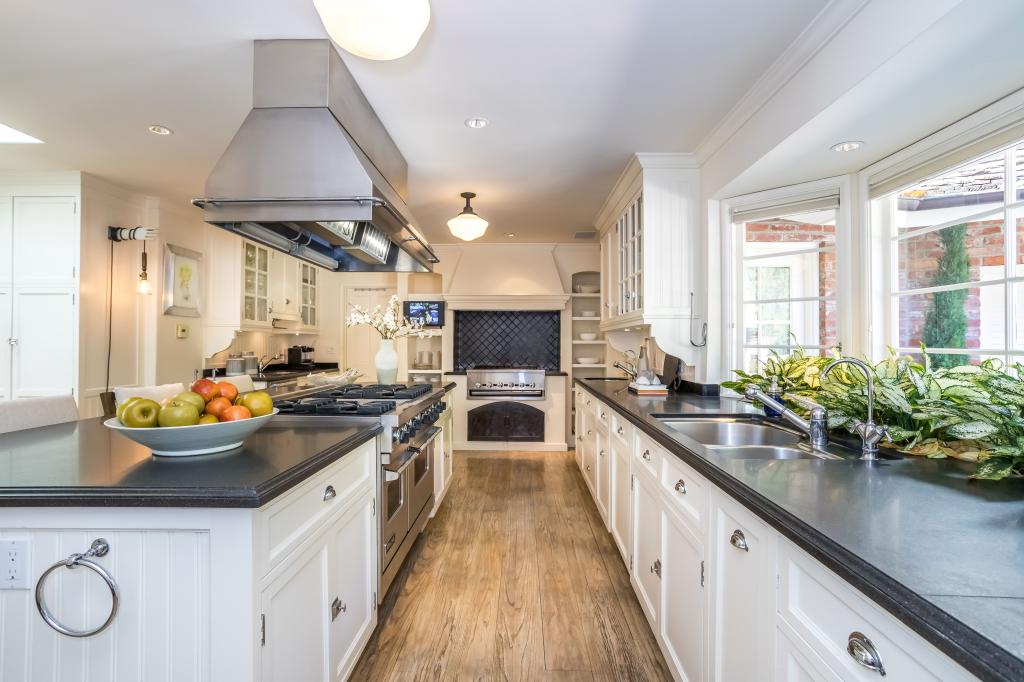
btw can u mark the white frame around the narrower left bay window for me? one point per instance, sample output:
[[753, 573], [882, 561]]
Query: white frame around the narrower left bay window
[[785, 201]]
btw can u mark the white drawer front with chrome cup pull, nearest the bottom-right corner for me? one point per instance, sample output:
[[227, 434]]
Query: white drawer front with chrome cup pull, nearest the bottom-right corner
[[823, 614]]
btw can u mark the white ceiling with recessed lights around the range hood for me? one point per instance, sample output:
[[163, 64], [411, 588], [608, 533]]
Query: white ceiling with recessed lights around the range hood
[[572, 89]]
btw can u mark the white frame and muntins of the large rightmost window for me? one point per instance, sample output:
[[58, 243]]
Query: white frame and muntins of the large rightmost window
[[884, 210]]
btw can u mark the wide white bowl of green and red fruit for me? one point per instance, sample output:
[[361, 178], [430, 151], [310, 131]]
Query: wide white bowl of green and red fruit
[[210, 418]]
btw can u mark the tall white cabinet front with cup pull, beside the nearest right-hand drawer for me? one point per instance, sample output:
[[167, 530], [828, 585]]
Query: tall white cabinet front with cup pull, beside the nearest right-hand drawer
[[744, 589]]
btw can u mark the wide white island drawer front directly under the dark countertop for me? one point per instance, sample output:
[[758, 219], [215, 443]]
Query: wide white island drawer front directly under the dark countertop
[[287, 522]]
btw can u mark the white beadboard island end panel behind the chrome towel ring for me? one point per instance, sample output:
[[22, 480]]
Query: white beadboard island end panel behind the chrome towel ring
[[160, 633]]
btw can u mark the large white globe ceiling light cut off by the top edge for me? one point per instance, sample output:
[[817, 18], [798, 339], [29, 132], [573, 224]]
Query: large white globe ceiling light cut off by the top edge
[[375, 29]]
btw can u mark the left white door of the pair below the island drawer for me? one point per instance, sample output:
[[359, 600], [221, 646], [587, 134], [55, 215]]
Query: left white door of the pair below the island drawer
[[296, 609]]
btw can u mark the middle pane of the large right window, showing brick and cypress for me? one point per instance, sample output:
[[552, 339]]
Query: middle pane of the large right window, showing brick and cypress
[[969, 252]]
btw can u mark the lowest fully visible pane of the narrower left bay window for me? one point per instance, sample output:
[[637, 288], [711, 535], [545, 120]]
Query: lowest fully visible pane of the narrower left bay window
[[800, 323]]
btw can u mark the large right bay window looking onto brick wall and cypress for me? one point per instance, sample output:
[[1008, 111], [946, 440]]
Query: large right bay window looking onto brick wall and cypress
[[957, 257]]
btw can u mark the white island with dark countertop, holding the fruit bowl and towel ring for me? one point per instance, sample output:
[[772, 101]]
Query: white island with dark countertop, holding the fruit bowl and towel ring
[[218, 561]]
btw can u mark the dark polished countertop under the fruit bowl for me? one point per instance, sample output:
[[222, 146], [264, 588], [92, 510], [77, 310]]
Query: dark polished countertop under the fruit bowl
[[86, 464]]
